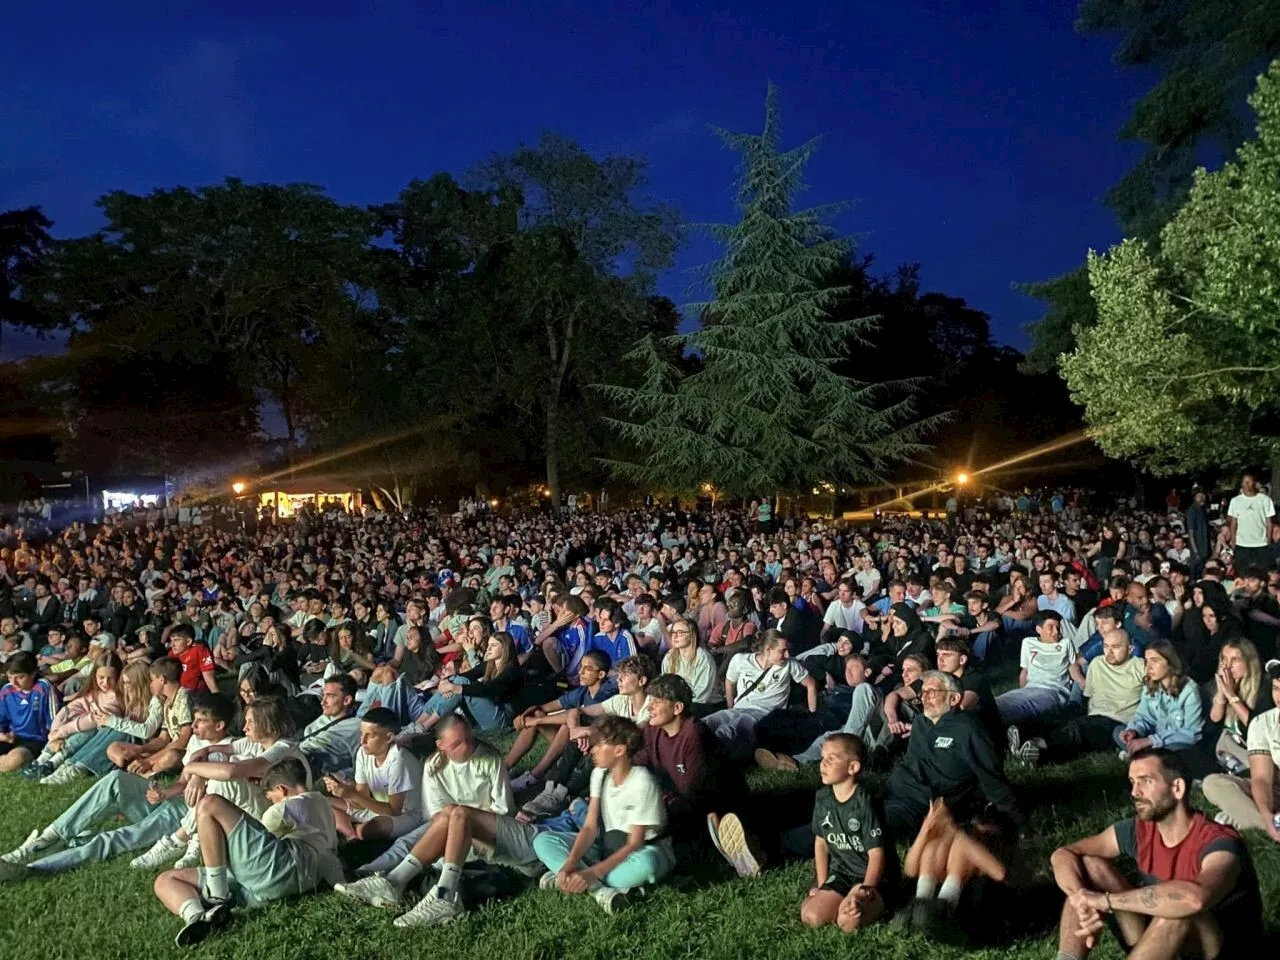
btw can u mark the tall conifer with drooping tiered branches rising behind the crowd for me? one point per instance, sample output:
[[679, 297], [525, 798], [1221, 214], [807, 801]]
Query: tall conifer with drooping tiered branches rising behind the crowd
[[769, 409]]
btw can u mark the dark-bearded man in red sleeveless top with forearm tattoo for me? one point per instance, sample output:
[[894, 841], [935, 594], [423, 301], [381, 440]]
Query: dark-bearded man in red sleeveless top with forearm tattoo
[[1199, 895]]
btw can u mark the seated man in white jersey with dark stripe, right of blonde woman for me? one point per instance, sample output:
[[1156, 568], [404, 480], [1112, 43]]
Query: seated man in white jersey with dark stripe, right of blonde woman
[[756, 685]]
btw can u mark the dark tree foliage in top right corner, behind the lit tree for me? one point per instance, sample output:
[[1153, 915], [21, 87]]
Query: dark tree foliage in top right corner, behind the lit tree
[[1206, 56]]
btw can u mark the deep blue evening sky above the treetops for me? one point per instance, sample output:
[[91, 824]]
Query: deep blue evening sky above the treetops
[[976, 138]]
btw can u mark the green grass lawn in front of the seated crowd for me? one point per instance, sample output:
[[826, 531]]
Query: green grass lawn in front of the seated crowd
[[108, 911]]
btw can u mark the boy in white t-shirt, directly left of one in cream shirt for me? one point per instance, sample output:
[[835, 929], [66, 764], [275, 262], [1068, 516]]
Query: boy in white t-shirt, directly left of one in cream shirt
[[386, 798]]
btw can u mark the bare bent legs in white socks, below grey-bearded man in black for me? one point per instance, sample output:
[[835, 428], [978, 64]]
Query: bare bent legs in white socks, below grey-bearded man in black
[[948, 862]]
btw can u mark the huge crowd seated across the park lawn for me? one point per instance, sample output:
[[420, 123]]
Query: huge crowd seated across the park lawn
[[253, 705]]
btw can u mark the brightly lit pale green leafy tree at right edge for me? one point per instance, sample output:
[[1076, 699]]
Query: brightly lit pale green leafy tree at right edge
[[1182, 372]]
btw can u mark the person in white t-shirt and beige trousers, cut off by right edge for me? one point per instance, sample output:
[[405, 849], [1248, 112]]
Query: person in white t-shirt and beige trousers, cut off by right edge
[[1252, 803]]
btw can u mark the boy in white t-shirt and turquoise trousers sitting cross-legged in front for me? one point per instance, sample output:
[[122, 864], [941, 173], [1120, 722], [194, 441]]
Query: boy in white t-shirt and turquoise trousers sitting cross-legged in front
[[621, 844]]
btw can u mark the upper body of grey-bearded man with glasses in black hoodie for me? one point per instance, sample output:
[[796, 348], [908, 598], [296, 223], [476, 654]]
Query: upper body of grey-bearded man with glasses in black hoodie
[[949, 756]]
